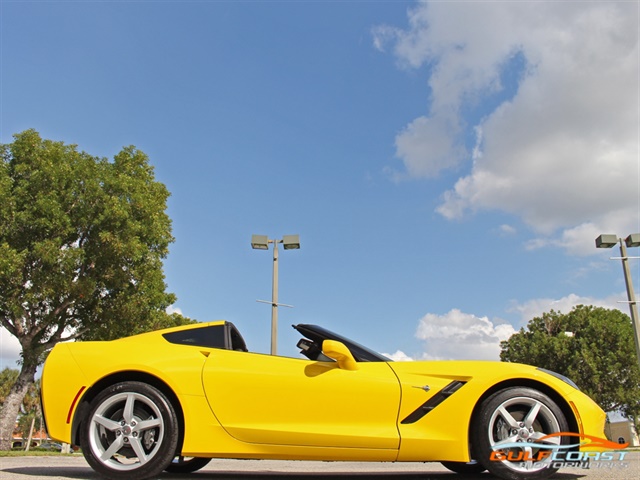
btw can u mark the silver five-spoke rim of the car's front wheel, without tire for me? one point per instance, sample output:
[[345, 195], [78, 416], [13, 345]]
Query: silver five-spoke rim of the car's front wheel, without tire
[[516, 428]]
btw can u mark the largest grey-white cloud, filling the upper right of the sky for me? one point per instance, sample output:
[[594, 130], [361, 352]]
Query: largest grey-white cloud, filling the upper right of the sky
[[563, 153]]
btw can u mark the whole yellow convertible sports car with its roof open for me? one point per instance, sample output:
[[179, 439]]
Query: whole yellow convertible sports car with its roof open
[[175, 398]]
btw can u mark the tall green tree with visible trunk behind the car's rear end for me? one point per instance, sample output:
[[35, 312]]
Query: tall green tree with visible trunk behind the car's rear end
[[82, 241]]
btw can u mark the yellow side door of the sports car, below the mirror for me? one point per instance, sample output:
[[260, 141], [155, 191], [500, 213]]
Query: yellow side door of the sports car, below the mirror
[[266, 399]]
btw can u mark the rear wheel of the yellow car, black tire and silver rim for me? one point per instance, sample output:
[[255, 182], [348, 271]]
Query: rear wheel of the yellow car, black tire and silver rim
[[130, 432]]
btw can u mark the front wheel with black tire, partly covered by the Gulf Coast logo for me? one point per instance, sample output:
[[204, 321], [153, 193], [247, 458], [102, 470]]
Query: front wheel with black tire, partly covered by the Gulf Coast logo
[[518, 415]]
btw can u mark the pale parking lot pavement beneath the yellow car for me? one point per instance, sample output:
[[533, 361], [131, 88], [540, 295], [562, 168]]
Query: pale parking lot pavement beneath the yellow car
[[75, 467]]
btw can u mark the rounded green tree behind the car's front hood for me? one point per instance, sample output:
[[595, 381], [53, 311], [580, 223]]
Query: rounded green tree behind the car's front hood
[[593, 346]]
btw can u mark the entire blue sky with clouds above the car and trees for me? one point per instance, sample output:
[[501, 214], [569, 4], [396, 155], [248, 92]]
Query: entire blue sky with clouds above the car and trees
[[447, 165]]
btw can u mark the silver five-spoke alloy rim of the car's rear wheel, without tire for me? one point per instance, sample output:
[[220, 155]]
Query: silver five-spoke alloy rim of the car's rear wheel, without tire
[[126, 431]]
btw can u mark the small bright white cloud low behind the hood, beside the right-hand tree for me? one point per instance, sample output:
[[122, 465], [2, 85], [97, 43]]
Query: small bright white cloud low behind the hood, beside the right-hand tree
[[458, 335]]
